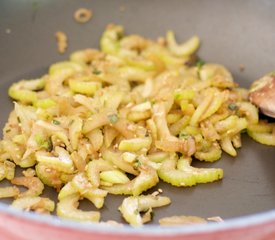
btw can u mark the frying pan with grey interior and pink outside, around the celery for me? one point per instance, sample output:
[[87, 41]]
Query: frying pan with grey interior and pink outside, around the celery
[[233, 33]]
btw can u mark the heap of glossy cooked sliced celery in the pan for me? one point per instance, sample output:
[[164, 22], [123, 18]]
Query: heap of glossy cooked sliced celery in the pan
[[120, 119]]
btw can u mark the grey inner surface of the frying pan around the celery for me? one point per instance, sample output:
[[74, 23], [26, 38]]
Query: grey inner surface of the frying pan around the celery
[[232, 33]]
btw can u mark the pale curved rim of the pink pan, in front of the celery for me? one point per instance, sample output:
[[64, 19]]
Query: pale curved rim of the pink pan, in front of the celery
[[147, 230]]
